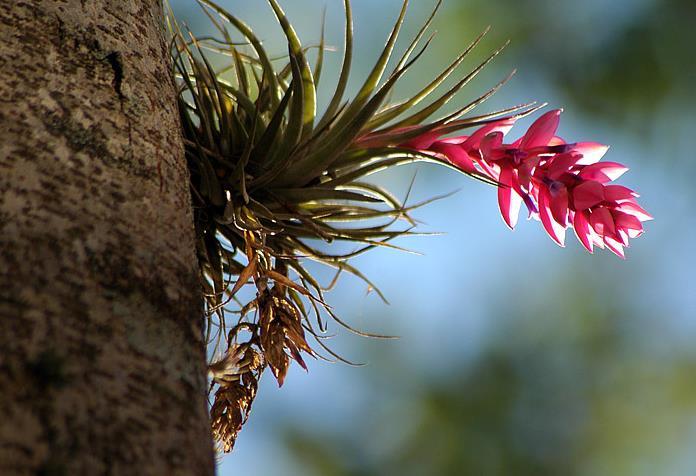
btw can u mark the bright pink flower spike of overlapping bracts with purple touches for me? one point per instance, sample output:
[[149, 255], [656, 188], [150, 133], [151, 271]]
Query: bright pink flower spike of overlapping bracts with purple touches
[[564, 185]]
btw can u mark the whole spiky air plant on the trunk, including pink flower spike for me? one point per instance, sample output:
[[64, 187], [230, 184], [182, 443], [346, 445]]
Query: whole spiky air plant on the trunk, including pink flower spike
[[275, 185]]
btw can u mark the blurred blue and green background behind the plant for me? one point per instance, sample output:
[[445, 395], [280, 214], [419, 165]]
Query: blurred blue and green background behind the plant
[[515, 356]]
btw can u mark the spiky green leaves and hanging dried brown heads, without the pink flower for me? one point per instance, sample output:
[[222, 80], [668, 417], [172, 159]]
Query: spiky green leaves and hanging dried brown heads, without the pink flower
[[271, 177]]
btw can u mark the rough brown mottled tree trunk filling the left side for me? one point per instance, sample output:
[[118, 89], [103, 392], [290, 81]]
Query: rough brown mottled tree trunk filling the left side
[[102, 367]]
